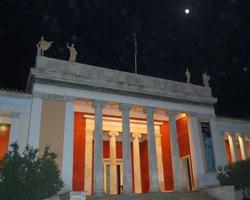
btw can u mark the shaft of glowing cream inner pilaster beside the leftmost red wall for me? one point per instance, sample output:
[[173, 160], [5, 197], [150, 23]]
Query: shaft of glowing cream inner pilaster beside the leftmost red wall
[[88, 161]]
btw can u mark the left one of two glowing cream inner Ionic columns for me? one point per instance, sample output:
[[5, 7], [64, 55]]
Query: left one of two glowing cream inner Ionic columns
[[113, 171]]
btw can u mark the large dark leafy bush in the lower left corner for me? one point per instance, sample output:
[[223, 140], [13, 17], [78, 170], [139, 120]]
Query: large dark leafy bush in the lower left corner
[[28, 176]]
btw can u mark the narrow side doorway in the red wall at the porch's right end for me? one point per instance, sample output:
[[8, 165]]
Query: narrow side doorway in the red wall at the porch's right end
[[186, 173]]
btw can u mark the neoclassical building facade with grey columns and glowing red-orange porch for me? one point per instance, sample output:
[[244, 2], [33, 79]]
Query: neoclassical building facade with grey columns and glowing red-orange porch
[[116, 132]]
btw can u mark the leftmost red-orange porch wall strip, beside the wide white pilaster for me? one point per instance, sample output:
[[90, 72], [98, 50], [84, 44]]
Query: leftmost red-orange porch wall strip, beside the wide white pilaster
[[79, 152]]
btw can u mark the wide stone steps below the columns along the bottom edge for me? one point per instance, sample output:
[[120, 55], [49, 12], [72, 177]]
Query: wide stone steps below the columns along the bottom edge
[[199, 195]]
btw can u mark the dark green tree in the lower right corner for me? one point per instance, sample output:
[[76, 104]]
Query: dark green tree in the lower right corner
[[237, 174]]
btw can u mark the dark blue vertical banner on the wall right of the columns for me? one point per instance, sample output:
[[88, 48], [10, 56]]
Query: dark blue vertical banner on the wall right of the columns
[[208, 146]]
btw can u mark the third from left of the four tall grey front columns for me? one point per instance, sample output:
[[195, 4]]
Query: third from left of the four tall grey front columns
[[153, 172]]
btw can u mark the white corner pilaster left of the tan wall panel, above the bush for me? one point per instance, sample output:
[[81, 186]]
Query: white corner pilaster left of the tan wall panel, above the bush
[[35, 121]]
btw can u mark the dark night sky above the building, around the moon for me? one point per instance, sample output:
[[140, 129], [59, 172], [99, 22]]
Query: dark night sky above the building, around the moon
[[214, 37]]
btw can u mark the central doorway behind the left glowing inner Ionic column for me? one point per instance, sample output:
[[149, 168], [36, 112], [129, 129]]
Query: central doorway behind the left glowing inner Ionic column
[[119, 176]]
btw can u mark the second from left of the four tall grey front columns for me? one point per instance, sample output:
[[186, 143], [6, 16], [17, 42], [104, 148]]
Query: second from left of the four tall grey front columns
[[126, 149]]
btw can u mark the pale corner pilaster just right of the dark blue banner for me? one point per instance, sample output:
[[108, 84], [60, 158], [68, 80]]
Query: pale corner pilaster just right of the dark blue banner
[[216, 141]]
